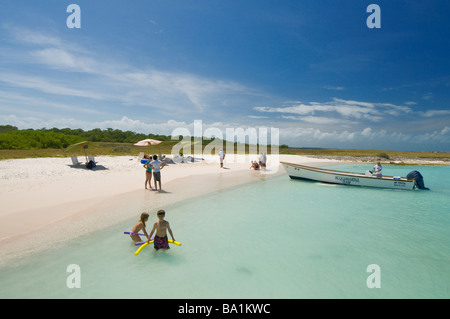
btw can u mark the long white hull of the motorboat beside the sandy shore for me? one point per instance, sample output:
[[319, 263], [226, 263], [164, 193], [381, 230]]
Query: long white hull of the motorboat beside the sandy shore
[[296, 171]]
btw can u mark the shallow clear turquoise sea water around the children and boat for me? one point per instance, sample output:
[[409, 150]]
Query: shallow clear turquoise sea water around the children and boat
[[276, 238]]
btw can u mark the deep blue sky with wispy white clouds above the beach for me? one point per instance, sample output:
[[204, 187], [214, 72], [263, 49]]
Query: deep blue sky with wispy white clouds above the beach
[[312, 69]]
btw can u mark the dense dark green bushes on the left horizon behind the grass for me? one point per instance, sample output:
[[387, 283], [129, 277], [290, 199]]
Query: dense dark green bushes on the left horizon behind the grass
[[13, 138]]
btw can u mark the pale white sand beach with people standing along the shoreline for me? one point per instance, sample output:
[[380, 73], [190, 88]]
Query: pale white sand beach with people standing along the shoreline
[[46, 201]]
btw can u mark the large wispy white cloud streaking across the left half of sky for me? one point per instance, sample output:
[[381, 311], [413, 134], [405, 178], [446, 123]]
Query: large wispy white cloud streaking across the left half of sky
[[74, 71]]
